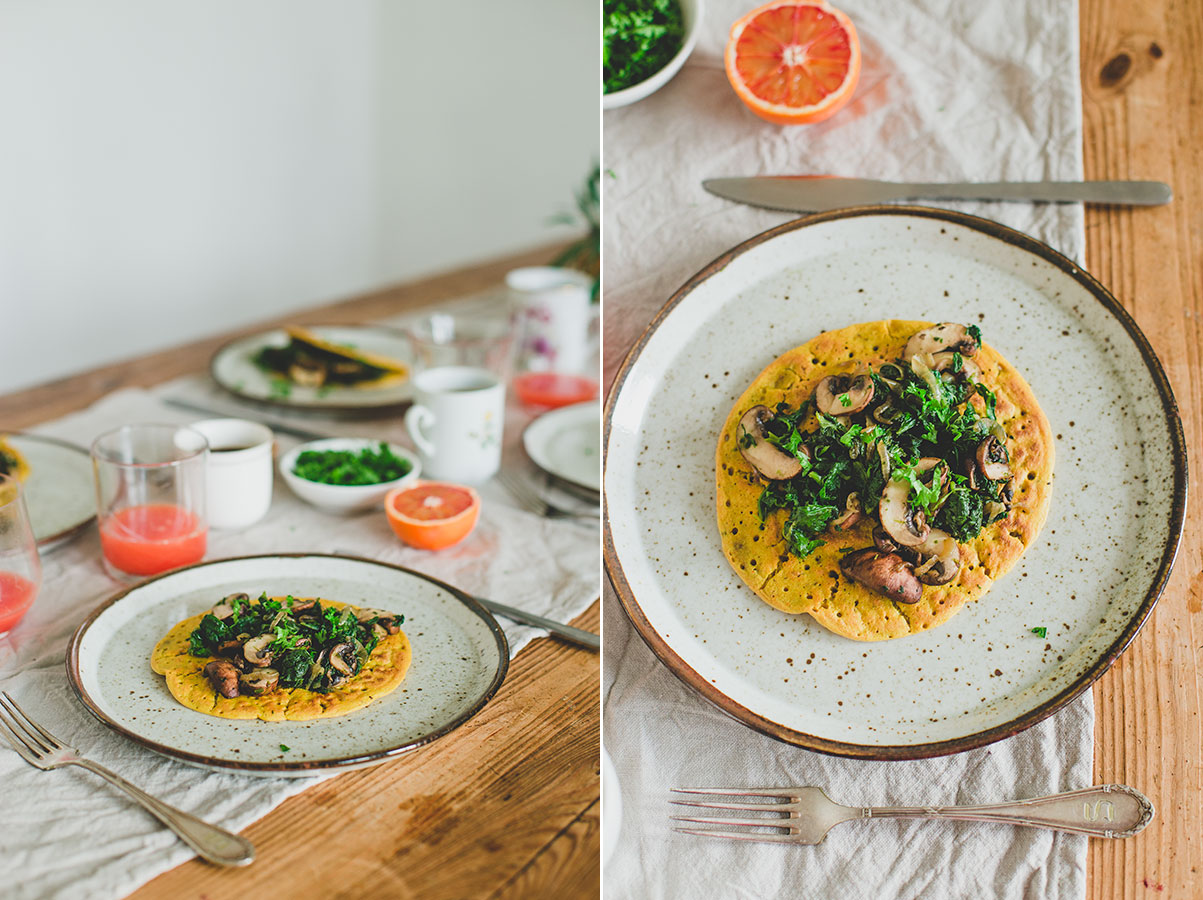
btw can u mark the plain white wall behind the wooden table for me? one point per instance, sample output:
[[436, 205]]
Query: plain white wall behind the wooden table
[[173, 170]]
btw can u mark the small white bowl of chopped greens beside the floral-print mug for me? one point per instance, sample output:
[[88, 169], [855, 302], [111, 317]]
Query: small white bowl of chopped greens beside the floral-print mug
[[348, 475]]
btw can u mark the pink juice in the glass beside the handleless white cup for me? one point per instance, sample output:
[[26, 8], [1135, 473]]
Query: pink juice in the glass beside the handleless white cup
[[146, 541]]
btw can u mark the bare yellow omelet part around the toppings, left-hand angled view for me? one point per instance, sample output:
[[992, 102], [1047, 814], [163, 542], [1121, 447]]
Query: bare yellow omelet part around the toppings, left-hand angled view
[[383, 672]]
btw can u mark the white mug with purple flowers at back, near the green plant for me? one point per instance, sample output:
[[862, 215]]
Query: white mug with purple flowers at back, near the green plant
[[554, 312]]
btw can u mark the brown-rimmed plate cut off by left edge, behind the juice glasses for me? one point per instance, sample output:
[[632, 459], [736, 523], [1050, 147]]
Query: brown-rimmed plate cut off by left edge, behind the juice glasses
[[58, 493]]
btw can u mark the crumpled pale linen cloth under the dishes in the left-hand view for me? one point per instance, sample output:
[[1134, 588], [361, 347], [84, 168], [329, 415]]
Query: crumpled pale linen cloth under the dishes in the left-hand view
[[67, 834]]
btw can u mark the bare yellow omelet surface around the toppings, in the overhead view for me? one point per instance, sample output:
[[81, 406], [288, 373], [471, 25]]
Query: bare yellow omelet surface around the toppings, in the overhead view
[[815, 585]]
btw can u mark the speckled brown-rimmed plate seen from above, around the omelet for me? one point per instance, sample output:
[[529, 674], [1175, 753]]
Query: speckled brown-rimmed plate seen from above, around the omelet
[[1092, 578]]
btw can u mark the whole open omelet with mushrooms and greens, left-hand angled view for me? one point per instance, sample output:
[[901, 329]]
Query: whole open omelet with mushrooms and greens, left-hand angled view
[[283, 659]]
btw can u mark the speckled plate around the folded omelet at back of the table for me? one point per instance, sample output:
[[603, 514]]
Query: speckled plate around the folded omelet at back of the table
[[233, 369]]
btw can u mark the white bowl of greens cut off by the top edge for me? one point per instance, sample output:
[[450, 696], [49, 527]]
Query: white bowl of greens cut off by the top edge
[[644, 44]]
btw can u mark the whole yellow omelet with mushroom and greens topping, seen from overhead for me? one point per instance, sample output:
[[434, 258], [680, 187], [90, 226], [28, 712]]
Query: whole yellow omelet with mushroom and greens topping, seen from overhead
[[882, 476]]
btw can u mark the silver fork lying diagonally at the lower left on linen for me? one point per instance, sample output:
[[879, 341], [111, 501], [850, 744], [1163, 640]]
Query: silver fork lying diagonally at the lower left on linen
[[43, 750]]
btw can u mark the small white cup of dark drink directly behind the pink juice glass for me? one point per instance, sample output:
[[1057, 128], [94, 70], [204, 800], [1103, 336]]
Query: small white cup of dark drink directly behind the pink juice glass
[[239, 477]]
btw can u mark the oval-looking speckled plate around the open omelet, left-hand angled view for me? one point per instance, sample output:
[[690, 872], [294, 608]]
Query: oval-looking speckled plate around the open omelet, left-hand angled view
[[460, 660]]
